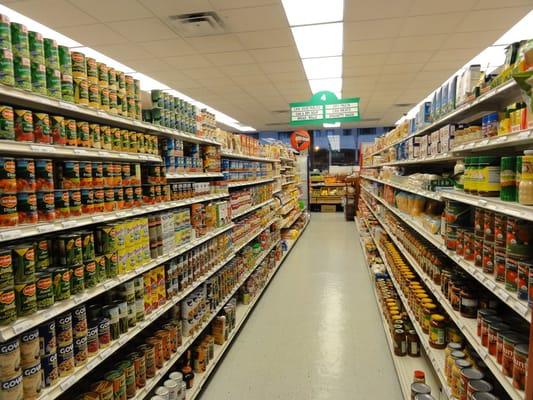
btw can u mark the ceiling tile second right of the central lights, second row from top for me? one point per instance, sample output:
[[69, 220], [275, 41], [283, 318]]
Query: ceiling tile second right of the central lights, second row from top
[[431, 24]]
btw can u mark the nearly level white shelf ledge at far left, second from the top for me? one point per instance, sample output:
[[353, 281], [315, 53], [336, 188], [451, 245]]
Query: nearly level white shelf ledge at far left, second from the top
[[13, 148]]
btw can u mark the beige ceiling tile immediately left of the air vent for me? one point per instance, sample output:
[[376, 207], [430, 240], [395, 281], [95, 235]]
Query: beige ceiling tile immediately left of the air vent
[[143, 30]]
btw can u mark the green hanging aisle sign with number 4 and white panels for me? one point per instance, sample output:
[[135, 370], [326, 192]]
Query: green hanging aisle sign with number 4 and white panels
[[325, 107]]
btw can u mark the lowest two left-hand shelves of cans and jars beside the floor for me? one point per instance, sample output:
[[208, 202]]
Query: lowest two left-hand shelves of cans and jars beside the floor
[[174, 359]]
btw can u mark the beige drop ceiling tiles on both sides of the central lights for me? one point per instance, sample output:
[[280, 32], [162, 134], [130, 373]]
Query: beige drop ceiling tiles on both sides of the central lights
[[386, 43]]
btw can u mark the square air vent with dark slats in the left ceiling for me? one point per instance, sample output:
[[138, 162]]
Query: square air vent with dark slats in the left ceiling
[[206, 23]]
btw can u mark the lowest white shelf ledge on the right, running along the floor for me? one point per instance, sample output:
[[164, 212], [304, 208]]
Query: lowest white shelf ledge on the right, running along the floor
[[404, 365]]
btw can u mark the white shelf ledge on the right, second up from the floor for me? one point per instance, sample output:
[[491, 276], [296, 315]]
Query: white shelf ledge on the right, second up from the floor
[[436, 357]]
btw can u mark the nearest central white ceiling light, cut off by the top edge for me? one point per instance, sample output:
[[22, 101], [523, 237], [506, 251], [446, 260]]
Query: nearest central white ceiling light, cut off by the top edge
[[307, 12]]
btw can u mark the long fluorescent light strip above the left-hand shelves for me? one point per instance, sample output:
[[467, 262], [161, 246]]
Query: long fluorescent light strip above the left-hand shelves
[[147, 83]]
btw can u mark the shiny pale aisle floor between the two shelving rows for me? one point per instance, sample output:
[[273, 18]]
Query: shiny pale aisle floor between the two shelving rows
[[315, 333]]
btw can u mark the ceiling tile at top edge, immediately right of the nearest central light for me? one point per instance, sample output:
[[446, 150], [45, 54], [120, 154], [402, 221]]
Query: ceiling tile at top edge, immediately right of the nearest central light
[[368, 10]]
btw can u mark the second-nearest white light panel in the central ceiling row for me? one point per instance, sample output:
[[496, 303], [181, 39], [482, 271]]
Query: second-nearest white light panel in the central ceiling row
[[324, 40]]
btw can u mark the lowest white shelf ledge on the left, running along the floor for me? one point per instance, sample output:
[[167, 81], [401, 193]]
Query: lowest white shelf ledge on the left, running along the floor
[[242, 314]]
